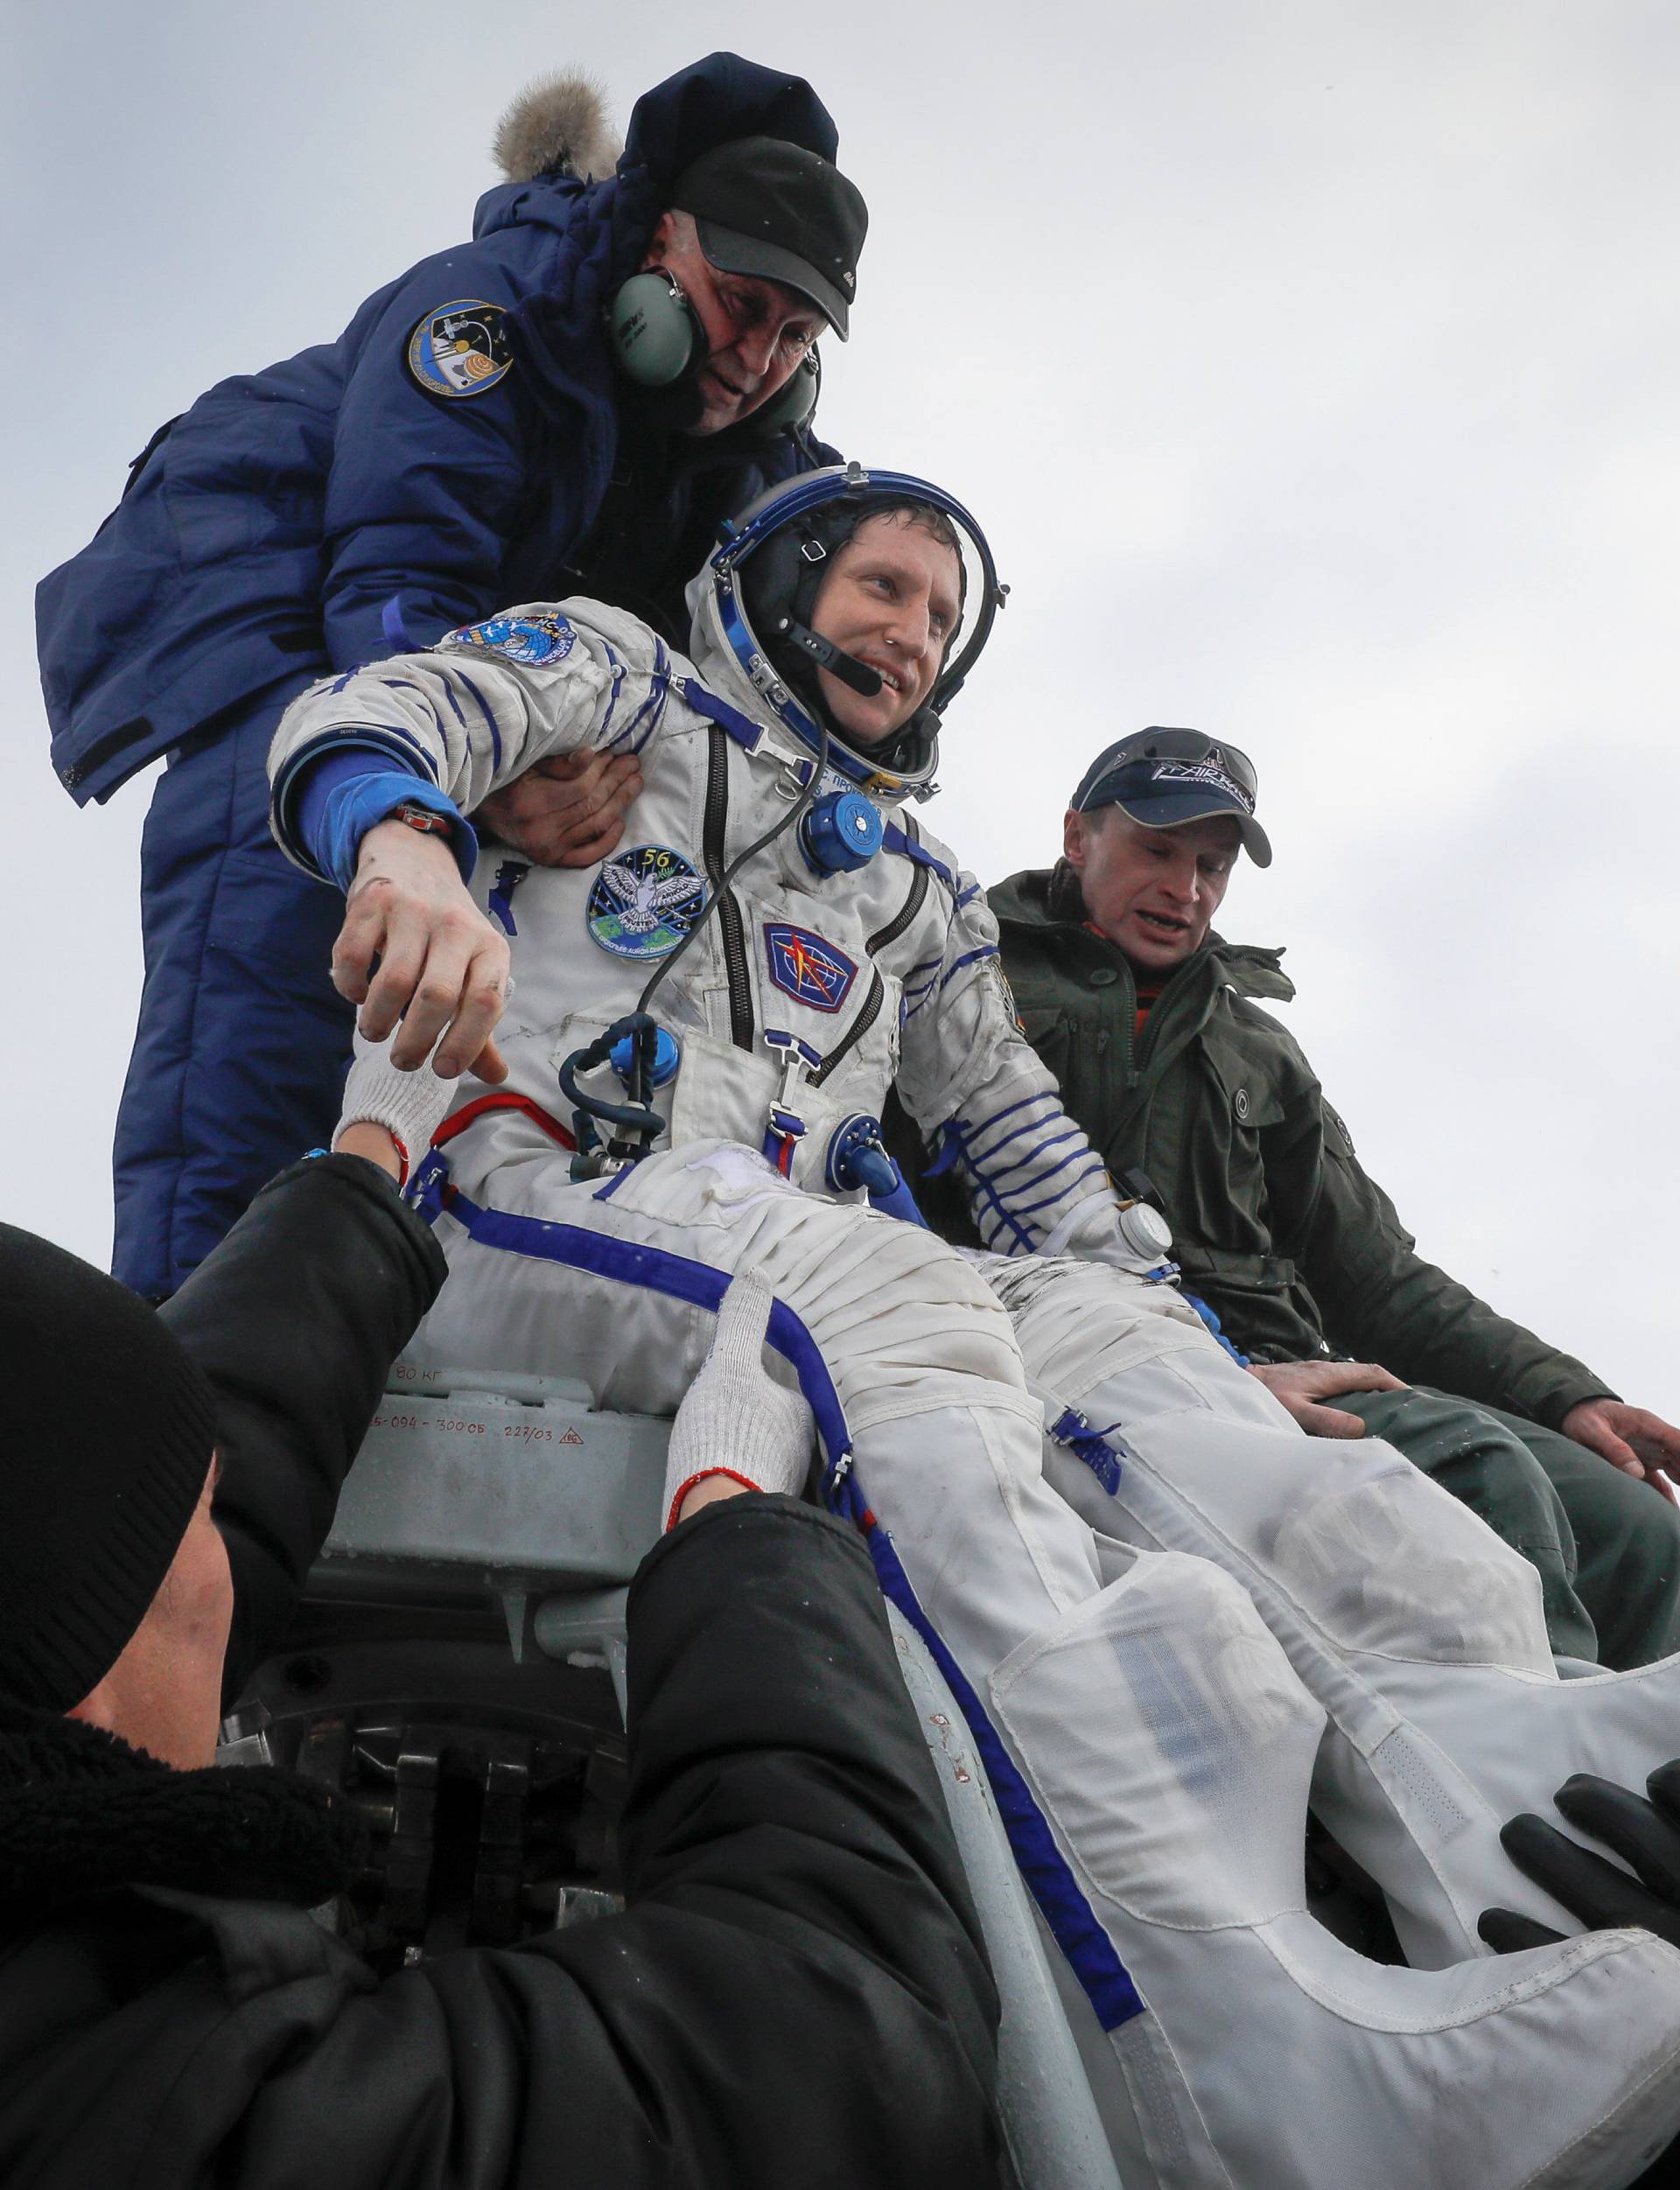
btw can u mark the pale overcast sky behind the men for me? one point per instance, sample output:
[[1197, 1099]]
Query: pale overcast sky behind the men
[[1309, 365]]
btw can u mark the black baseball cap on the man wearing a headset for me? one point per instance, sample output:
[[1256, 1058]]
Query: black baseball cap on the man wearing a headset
[[783, 214]]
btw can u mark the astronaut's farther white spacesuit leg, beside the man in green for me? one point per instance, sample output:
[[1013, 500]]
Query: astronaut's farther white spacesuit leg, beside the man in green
[[1414, 1626]]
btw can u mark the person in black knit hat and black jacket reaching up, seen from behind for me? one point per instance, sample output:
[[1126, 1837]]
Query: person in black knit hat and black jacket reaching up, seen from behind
[[172, 2014]]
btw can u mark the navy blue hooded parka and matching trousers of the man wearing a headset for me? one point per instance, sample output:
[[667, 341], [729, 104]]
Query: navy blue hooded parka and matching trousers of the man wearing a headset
[[446, 457]]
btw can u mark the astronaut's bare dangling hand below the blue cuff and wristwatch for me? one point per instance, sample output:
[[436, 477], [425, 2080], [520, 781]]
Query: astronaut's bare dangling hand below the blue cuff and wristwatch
[[444, 969]]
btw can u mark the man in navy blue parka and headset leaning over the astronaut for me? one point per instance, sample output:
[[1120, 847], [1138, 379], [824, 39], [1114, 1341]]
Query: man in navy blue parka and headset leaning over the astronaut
[[514, 419]]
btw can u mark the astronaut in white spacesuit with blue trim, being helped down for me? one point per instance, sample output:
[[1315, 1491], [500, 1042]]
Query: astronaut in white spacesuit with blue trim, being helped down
[[1162, 1606]]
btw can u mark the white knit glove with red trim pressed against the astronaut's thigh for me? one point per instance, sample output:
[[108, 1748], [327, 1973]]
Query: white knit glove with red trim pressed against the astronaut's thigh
[[737, 1420]]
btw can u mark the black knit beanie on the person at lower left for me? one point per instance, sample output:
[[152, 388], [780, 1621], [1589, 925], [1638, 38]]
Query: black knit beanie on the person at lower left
[[108, 1436]]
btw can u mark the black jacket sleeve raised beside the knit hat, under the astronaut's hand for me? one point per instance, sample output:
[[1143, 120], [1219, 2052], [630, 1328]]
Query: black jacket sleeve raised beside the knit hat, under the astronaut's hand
[[297, 1317]]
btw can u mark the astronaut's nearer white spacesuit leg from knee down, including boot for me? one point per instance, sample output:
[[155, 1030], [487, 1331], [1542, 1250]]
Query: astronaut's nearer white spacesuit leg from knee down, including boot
[[1267, 2053]]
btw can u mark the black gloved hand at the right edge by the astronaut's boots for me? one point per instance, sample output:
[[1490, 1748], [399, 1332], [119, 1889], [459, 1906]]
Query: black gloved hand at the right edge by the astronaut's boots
[[1644, 1834]]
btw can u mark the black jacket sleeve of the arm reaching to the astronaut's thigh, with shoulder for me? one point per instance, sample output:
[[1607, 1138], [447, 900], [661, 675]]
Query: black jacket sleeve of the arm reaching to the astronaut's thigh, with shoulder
[[796, 1996]]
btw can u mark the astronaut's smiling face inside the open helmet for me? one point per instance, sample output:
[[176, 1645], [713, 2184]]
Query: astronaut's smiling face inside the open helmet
[[890, 599]]
